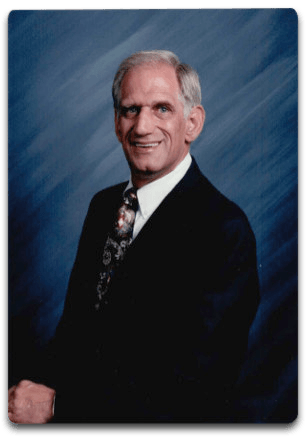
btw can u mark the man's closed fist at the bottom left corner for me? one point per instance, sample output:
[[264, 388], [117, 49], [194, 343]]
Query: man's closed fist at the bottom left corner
[[30, 402]]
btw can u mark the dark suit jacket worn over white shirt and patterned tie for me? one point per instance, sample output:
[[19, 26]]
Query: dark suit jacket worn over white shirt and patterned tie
[[169, 342]]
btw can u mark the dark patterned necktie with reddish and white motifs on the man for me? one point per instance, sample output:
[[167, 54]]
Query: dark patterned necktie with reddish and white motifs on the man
[[117, 243]]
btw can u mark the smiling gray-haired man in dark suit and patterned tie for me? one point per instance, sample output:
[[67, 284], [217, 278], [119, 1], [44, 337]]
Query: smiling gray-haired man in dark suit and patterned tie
[[155, 329]]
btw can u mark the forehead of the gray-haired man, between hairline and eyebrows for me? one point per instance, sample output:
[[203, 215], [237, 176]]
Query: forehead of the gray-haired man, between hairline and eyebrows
[[150, 81]]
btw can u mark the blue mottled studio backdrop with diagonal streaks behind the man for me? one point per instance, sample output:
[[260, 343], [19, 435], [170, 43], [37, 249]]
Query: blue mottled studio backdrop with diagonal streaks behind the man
[[62, 149]]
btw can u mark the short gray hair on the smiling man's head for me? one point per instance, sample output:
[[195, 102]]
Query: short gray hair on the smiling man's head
[[187, 77]]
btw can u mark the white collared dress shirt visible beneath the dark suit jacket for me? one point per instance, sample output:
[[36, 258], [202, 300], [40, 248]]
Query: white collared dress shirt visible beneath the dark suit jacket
[[151, 195]]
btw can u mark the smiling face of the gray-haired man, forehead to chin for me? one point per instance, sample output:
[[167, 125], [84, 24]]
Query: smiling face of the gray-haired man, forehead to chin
[[150, 125]]
